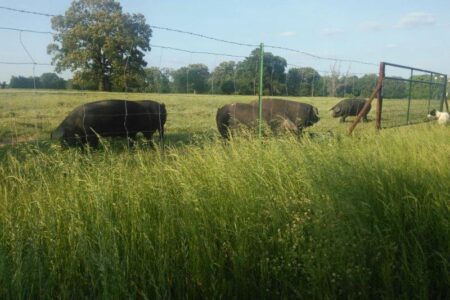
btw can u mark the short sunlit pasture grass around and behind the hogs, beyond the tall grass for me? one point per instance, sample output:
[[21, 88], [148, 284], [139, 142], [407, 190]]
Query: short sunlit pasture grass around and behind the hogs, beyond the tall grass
[[27, 115]]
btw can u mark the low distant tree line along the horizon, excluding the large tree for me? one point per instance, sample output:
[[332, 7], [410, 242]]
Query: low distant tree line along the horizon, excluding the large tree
[[241, 78]]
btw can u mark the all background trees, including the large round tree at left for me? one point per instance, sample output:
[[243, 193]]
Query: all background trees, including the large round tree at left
[[104, 48]]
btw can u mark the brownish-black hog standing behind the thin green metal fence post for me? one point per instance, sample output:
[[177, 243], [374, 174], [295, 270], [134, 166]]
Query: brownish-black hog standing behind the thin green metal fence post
[[279, 114]]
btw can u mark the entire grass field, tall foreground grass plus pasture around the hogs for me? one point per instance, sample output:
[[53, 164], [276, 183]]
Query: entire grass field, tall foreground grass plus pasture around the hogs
[[366, 216]]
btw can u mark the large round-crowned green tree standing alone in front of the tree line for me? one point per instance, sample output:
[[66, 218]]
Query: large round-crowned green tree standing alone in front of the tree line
[[100, 43]]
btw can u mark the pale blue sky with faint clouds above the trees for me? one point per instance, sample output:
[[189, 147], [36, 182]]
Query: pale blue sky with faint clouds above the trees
[[414, 33]]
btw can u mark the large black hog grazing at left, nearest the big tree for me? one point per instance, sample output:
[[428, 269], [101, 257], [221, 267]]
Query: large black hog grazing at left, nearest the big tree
[[111, 118]]
